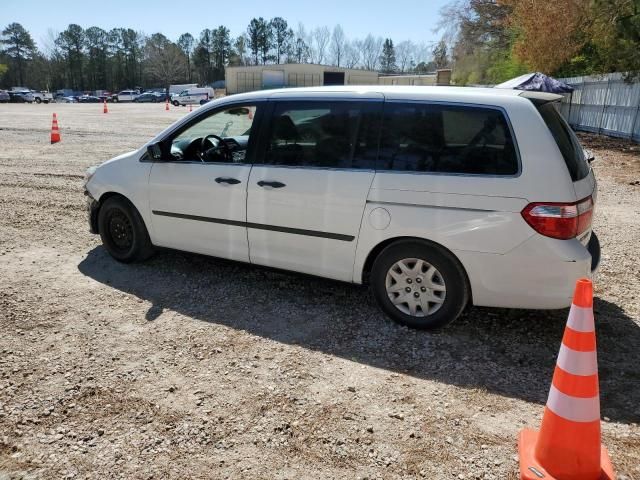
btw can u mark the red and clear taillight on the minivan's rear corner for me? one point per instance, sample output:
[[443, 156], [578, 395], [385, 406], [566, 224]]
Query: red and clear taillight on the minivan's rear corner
[[560, 220]]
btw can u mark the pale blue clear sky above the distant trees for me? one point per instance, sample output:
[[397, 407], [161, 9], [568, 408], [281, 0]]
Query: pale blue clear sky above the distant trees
[[397, 19]]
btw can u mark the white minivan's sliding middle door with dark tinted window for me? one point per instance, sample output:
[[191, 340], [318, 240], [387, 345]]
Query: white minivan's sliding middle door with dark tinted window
[[305, 202]]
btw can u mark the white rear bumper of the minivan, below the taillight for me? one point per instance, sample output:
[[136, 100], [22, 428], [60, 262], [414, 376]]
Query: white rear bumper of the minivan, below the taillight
[[539, 274]]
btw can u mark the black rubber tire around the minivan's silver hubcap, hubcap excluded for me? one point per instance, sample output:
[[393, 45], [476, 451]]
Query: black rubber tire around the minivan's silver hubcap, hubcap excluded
[[453, 276]]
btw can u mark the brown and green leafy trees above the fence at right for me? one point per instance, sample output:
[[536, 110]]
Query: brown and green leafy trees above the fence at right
[[494, 40]]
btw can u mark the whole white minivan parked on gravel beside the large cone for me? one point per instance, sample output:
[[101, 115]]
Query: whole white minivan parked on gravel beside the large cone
[[436, 197]]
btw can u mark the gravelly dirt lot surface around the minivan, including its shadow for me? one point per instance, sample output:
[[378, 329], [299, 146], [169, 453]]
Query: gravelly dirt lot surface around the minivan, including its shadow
[[191, 367]]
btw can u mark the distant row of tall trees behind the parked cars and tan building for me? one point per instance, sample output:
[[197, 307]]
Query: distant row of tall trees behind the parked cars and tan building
[[94, 59]]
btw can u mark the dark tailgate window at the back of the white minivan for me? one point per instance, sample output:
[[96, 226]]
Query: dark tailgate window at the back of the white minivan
[[566, 140]]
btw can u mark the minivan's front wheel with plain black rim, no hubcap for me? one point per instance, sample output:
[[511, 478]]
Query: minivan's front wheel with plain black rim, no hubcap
[[123, 232]]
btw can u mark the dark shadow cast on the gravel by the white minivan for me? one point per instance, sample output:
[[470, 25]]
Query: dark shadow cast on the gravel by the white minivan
[[507, 352]]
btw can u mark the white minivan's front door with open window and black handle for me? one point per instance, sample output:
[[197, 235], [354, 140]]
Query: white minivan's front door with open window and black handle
[[198, 195]]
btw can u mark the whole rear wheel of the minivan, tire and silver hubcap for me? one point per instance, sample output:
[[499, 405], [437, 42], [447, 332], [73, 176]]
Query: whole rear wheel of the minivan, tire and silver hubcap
[[419, 285]]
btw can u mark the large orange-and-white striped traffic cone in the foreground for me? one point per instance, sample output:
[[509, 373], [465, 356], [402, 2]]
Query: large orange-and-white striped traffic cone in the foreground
[[568, 447]]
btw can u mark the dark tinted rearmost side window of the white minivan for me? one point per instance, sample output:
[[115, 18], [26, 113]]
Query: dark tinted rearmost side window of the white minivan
[[455, 139]]
